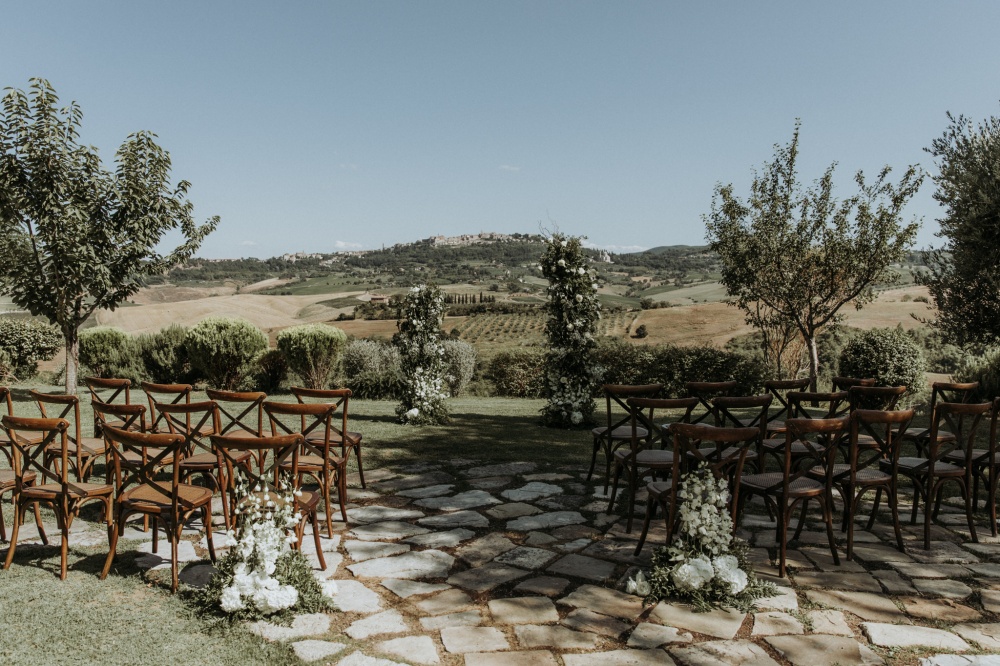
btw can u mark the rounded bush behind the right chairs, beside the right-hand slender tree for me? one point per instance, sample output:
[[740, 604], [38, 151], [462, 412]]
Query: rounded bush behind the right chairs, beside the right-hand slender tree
[[887, 354]]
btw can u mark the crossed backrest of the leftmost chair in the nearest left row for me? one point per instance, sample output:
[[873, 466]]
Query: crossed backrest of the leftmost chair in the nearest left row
[[32, 439]]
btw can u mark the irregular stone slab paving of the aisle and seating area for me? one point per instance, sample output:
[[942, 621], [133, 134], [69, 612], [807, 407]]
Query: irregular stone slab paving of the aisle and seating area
[[518, 563]]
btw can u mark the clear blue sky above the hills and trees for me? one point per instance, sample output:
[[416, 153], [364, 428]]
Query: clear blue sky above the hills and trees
[[326, 125]]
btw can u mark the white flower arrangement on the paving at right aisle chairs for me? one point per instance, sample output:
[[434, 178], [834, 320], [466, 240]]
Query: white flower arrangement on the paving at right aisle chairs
[[705, 564]]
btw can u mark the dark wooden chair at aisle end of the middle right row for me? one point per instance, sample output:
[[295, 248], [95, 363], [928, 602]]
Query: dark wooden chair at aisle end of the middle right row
[[642, 458]]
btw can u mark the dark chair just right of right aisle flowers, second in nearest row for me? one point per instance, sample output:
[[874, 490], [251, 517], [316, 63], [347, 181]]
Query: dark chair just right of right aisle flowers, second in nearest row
[[816, 443]]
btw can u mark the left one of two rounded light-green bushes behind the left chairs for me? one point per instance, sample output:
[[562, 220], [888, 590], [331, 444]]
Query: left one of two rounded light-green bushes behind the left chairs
[[223, 349]]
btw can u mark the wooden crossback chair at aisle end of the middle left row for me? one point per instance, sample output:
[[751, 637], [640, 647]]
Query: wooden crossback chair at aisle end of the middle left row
[[321, 458]]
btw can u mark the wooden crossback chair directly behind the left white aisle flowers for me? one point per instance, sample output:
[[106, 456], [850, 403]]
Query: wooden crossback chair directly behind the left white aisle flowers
[[285, 450]]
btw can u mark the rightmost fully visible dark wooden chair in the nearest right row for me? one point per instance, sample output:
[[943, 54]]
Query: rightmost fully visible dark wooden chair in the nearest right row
[[930, 474]]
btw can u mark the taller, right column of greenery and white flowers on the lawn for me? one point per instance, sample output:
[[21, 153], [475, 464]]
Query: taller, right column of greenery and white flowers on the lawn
[[573, 312]]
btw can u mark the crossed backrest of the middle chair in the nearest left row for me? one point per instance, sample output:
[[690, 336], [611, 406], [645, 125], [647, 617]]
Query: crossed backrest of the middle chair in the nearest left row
[[151, 452]]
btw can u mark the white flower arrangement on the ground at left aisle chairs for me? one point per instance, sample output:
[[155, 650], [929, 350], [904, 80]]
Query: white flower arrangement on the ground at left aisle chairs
[[261, 575]]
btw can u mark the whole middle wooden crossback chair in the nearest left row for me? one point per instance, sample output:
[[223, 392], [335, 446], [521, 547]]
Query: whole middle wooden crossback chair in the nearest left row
[[137, 459]]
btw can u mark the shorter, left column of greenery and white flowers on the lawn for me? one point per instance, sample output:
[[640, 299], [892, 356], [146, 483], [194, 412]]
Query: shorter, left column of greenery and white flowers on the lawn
[[422, 358]]
